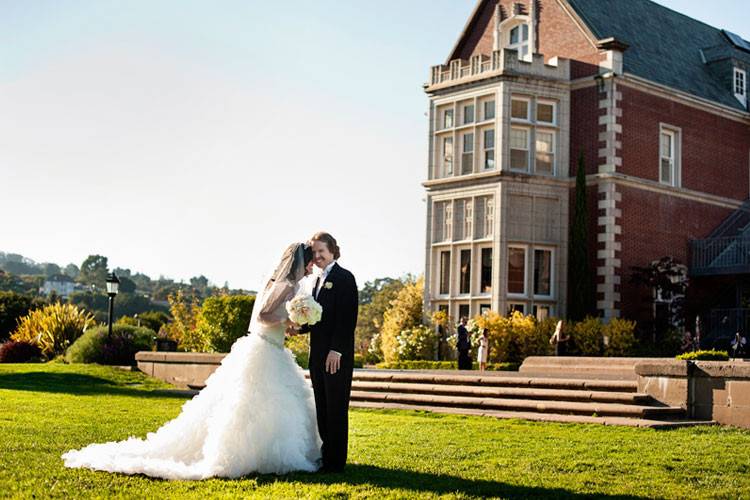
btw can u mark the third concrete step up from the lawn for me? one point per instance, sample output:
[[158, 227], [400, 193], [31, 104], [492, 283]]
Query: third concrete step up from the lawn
[[503, 392]]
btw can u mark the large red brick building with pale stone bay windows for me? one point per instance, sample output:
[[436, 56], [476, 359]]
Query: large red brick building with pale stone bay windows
[[657, 104]]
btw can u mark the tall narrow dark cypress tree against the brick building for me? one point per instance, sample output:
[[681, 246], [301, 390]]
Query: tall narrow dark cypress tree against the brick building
[[580, 281]]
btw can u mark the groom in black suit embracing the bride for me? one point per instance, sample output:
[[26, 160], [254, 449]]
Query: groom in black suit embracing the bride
[[332, 349]]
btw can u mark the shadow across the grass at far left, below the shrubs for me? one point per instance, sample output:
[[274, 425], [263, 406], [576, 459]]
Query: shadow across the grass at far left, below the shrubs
[[76, 383]]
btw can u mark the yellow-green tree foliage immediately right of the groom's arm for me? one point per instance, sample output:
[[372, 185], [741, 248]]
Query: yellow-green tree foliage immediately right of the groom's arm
[[378, 296]]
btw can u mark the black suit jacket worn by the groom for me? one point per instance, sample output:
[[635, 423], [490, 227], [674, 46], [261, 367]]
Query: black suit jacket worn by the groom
[[339, 299]]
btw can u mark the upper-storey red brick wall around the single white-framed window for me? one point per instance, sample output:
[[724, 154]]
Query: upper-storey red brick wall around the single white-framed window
[[714, 149]]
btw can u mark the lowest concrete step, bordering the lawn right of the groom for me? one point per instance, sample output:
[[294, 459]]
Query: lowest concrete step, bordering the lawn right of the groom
[[534, 416]]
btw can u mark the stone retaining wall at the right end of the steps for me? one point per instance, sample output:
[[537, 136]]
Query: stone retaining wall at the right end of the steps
[[708, 390]]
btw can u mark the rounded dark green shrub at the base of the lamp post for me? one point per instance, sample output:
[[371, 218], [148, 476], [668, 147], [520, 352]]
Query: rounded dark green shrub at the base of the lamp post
[[120, 349]]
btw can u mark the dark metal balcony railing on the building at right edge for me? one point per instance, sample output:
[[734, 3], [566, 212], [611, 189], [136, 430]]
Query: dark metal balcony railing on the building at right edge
[[714, 256]]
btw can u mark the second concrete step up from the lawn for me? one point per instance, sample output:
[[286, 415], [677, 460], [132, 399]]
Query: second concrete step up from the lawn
[[524, 405]]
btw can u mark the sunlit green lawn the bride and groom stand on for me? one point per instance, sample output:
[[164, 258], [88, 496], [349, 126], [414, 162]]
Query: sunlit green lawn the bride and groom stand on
[[46, 409]]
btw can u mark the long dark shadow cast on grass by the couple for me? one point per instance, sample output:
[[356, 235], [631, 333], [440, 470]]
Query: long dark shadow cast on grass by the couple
[[439, 484]]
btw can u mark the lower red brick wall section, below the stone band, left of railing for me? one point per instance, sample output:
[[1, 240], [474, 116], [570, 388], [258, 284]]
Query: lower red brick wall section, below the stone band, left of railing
[[656, 225]]
